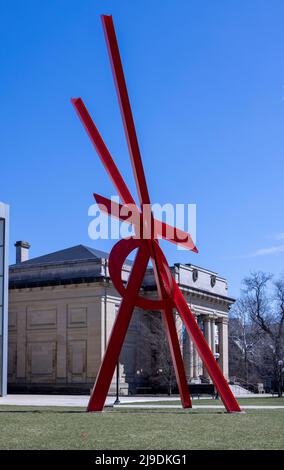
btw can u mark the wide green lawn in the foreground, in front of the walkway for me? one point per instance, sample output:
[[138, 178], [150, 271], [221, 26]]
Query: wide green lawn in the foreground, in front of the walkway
[[73, 428]]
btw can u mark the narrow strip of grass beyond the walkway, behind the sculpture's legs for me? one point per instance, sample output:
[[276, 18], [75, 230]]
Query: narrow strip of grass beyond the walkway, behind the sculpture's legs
[[210, 401]]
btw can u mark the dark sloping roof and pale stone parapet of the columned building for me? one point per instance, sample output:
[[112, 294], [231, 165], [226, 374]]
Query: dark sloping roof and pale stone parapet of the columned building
[[81, 264]]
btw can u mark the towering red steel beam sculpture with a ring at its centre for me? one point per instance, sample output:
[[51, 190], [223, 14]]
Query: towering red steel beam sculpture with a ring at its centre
[[169, 292]]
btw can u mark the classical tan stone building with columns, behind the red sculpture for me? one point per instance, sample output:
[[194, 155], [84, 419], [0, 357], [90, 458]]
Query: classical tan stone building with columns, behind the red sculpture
[[61, 310]]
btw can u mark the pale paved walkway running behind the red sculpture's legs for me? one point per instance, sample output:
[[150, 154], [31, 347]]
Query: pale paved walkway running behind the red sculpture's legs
[[133, 402]]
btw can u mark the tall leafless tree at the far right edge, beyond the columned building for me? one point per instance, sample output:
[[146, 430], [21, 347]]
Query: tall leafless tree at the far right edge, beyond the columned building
[[263, 300]]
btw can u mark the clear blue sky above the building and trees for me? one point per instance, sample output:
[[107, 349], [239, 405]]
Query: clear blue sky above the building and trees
[[205, 80]]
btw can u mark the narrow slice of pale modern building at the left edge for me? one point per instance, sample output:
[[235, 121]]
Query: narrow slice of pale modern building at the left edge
[[4, 225]]
